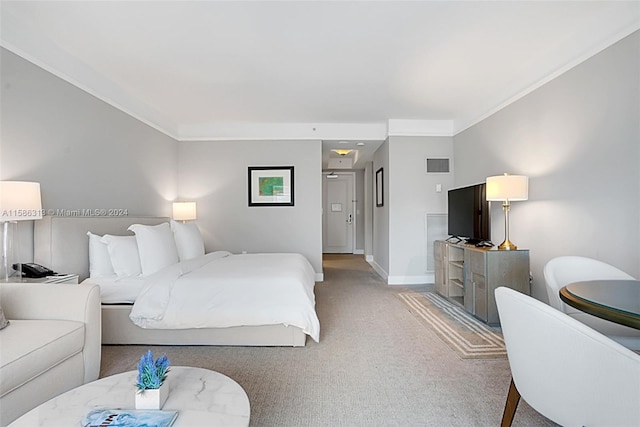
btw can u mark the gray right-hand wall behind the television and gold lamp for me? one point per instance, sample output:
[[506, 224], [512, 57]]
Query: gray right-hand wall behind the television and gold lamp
[[578, 139]]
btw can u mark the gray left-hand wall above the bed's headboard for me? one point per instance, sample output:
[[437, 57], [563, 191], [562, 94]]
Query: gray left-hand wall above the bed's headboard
[[85, 153]]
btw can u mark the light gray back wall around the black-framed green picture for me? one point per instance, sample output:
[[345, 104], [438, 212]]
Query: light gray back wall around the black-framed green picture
[[214, 174]]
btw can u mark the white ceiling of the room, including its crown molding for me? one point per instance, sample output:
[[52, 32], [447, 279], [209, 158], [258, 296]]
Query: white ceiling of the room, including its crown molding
[[354, 71]]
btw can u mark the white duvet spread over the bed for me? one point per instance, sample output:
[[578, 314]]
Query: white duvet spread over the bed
[[223, 290]]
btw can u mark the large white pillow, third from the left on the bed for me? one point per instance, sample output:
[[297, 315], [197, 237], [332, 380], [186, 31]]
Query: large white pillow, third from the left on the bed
[[156, 246]]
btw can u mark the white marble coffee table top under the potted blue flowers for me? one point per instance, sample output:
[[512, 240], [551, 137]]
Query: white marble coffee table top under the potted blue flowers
[[201, 397]]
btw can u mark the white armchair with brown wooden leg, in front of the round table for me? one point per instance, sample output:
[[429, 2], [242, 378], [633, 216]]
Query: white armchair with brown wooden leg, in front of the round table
[[565, 370]]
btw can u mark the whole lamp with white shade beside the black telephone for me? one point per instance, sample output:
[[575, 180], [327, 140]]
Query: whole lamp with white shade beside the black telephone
[[19, 201]]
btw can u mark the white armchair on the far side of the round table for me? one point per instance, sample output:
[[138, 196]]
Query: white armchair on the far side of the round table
[[563, 270]]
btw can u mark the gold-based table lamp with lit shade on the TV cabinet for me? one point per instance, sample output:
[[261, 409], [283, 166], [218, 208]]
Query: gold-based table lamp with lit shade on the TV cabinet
[[506, 189]]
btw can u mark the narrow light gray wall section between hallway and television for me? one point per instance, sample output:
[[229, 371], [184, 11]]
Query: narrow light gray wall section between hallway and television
[[412, 194]]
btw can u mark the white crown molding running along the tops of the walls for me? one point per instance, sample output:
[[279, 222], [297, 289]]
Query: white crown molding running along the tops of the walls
[[27, 41]]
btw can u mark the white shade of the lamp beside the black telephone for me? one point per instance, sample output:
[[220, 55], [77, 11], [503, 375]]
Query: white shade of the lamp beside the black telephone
[[20, 201]]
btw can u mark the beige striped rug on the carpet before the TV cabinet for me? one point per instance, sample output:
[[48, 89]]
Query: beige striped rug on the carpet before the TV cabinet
[[464, 334]]
